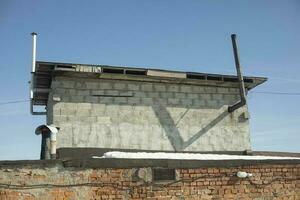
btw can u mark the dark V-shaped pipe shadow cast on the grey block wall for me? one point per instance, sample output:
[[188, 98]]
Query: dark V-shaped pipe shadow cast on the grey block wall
[[172, 131]]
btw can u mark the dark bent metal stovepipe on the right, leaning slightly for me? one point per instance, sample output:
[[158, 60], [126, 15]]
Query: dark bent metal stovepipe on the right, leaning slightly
[[243, 99]]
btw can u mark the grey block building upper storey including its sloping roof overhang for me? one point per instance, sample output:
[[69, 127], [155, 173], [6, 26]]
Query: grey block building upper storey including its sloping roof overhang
[[146, 109]]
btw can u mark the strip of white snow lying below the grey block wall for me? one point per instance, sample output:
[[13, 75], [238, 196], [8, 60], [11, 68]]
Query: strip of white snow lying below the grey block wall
[[188, 156]]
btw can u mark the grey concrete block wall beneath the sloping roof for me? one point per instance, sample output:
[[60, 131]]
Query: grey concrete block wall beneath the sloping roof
[[146, 115]]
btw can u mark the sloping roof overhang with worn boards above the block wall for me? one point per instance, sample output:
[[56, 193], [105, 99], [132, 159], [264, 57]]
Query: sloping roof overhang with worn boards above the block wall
[[46, 70]]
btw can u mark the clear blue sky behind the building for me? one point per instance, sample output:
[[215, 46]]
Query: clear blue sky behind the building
[[177, 35]]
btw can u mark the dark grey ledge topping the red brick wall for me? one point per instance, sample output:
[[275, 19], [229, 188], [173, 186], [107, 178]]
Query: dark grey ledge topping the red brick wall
[[138, 163]]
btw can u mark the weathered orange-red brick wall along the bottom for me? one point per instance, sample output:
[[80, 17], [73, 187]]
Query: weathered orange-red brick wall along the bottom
[[58, 183]]
